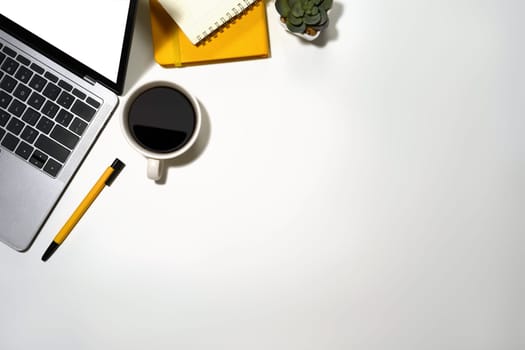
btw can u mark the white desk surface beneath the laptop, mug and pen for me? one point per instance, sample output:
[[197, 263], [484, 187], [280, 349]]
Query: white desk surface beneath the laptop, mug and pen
[[363, 193]]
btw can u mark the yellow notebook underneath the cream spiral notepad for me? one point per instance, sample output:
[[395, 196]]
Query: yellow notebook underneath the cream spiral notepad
[[243, 38]]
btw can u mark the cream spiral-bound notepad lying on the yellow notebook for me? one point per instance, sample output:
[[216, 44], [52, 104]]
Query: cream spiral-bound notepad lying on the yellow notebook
[[200, 18]]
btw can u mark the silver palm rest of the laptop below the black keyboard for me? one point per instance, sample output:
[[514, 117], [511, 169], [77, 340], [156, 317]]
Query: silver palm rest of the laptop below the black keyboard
[[26, 199]]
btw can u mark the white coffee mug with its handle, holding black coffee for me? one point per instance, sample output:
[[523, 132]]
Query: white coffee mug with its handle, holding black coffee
[[161, 120]]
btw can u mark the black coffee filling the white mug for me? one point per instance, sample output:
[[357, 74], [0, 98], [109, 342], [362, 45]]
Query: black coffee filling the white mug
[[161, 119]]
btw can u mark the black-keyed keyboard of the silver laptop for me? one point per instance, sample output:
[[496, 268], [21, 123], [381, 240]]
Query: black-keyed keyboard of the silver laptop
[[42, 117]]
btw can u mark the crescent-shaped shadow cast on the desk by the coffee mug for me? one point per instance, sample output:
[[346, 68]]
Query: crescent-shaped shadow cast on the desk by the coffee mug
[[194, 152]]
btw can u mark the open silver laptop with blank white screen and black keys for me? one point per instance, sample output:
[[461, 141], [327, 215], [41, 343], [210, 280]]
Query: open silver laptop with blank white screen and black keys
[[59, 85]]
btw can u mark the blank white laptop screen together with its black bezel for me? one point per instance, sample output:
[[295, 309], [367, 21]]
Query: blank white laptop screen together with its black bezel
[[69, 27]]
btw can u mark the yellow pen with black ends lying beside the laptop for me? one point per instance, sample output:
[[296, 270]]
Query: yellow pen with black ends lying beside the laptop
[[106, 179]]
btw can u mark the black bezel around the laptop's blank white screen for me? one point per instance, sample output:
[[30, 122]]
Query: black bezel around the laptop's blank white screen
[[71, 63]]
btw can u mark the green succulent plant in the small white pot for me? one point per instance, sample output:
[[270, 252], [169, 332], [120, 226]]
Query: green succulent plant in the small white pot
[[304, 16]]
